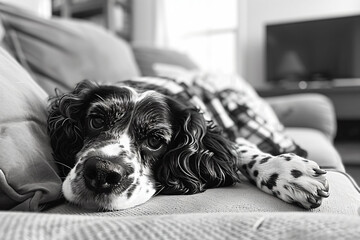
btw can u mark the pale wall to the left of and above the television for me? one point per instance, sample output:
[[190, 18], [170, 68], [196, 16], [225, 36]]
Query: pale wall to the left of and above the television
[[260, 12]]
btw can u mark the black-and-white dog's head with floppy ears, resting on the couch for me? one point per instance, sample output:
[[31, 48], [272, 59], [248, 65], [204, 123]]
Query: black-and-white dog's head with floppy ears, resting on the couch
[[117, 146]]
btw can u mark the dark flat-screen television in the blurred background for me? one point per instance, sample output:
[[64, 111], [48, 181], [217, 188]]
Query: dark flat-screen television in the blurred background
[[324, 50]]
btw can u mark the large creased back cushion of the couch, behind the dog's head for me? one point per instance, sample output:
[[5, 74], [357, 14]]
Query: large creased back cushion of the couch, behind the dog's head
[[59, 53]]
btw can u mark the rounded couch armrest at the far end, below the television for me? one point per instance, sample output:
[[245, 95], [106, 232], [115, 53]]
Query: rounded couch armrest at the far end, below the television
[[311, 110]]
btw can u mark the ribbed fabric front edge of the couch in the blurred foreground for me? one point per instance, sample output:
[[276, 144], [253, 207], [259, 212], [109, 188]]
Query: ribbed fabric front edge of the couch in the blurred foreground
[[209, 226]]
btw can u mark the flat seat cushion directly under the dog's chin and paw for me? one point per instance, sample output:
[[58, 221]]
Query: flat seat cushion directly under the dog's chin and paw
[[243, 197]]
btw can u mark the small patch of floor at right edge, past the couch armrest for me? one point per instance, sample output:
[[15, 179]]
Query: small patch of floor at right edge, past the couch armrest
[[350, 154]]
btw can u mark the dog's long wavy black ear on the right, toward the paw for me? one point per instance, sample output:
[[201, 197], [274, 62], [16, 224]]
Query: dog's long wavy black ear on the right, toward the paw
[[198, 156]]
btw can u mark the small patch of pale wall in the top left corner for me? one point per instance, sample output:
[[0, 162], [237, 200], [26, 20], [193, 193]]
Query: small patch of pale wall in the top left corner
[[40, 7]]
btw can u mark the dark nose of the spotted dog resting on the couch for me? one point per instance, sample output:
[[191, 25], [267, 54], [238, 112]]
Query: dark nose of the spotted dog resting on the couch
[[102, 175]]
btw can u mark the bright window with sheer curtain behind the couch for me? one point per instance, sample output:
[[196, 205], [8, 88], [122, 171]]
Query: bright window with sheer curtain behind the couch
[[207, 30]]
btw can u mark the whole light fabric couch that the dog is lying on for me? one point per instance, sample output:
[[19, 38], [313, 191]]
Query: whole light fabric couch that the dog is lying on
[[38, 55]]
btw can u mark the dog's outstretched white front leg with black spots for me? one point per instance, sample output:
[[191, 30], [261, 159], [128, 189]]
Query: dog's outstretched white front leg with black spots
[[286, 176]]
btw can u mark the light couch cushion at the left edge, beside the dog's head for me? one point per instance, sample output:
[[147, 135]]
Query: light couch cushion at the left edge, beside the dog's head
[[27, 172]]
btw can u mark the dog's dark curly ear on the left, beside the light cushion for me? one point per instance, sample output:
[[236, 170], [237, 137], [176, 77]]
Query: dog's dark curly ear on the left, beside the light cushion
[[64, 124]]
